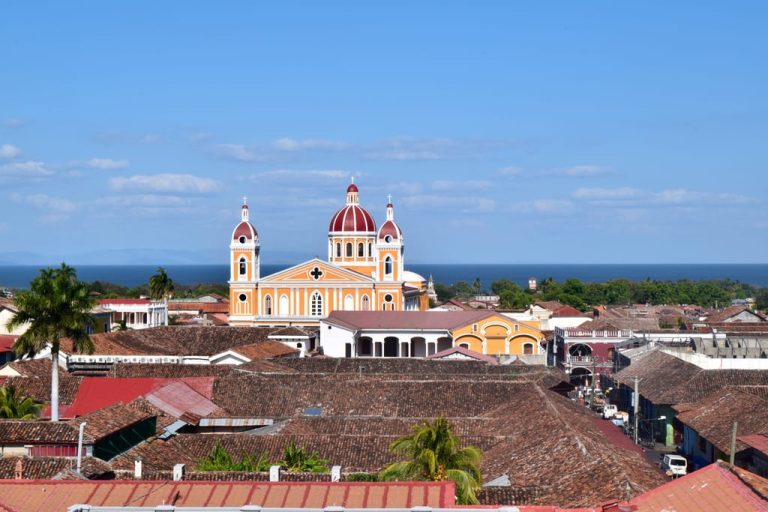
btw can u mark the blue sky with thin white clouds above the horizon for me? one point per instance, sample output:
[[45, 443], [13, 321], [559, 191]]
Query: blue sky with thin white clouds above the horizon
[[506, 132]]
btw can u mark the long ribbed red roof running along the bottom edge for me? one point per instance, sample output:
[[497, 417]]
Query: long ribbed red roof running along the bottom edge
[[62, 494]]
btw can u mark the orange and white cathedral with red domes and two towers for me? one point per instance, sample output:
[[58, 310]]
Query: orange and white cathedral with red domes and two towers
[[365, 271]]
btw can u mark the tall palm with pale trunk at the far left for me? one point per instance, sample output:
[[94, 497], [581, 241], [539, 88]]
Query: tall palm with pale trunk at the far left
[[56, 307]]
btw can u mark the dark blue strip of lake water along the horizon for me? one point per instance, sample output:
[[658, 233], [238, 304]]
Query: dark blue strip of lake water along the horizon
[[15, 276]]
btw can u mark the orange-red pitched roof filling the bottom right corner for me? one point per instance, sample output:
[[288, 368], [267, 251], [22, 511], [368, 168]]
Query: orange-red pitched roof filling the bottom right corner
[[715, 487]]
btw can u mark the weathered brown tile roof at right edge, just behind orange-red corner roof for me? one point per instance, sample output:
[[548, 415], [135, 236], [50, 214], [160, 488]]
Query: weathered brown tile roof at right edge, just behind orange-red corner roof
[[713, 416]]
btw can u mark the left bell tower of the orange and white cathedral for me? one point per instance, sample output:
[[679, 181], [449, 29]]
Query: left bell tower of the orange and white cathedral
[[244, 271]]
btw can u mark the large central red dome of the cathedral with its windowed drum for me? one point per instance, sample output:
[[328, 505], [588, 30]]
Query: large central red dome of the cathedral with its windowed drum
[[352, 236]]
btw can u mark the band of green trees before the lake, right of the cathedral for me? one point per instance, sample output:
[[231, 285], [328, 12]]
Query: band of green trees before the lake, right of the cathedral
[[716, 293]]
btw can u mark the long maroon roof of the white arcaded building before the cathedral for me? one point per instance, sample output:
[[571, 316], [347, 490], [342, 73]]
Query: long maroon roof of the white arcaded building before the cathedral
[[406, 319]]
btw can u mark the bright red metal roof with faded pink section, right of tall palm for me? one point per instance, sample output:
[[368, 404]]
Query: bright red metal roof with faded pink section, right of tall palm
[[99, 392]]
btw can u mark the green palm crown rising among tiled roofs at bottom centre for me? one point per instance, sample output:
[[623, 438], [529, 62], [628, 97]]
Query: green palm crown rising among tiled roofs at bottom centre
[[434, 454]]
